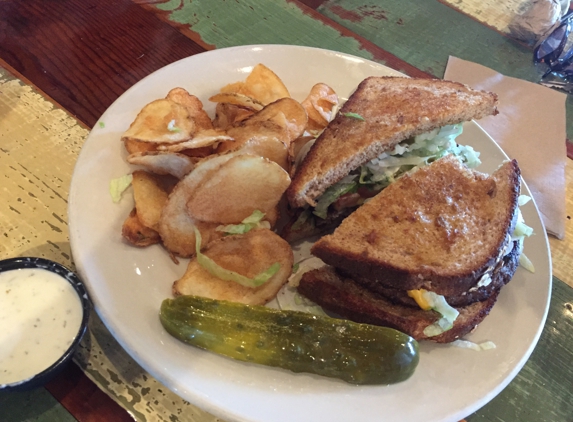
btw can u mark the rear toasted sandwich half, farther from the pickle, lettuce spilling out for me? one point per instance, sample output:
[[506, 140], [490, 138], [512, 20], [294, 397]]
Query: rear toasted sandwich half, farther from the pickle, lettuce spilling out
[[388, 126]]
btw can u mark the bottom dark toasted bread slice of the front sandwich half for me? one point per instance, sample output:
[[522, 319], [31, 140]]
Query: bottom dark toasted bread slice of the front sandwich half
[[350, 300]]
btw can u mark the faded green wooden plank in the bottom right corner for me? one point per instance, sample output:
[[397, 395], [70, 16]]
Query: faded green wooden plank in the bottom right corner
[[541, 392]]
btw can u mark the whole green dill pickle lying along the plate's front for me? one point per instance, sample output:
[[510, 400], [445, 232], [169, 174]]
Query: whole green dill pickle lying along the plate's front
[[297, 341]]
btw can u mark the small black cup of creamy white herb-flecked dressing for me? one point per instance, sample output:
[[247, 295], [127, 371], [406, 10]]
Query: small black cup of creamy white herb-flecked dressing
[[57, 361]]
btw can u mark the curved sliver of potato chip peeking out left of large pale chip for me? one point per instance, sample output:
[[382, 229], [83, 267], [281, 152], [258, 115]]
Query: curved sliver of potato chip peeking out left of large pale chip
[[176, 226]]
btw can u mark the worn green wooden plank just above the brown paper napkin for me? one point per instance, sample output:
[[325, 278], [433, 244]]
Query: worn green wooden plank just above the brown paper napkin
[[426, 35]]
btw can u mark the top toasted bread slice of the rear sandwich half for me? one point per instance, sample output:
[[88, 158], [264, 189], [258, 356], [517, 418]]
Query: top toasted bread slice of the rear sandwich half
[[392, 109]]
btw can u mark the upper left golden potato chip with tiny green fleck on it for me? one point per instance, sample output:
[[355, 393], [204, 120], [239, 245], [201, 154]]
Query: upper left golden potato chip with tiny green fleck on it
[[161, 121]]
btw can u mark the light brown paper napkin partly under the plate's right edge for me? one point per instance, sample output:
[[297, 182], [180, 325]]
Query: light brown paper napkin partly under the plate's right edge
[[530, 127]]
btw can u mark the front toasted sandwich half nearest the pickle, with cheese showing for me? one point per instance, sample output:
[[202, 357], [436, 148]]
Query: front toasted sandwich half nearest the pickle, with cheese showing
[[428, 255]]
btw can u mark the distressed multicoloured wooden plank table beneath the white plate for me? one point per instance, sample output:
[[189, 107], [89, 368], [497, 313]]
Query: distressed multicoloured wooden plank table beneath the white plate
[[62, 63]]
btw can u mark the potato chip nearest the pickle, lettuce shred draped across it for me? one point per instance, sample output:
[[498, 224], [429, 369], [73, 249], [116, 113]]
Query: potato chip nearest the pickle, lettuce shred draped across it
[[249, 255]]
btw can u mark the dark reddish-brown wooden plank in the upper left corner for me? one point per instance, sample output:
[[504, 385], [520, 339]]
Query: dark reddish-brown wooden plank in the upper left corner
[[85, 53]]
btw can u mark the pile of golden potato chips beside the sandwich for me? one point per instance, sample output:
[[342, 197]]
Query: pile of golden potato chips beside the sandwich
[[197, 173]]
